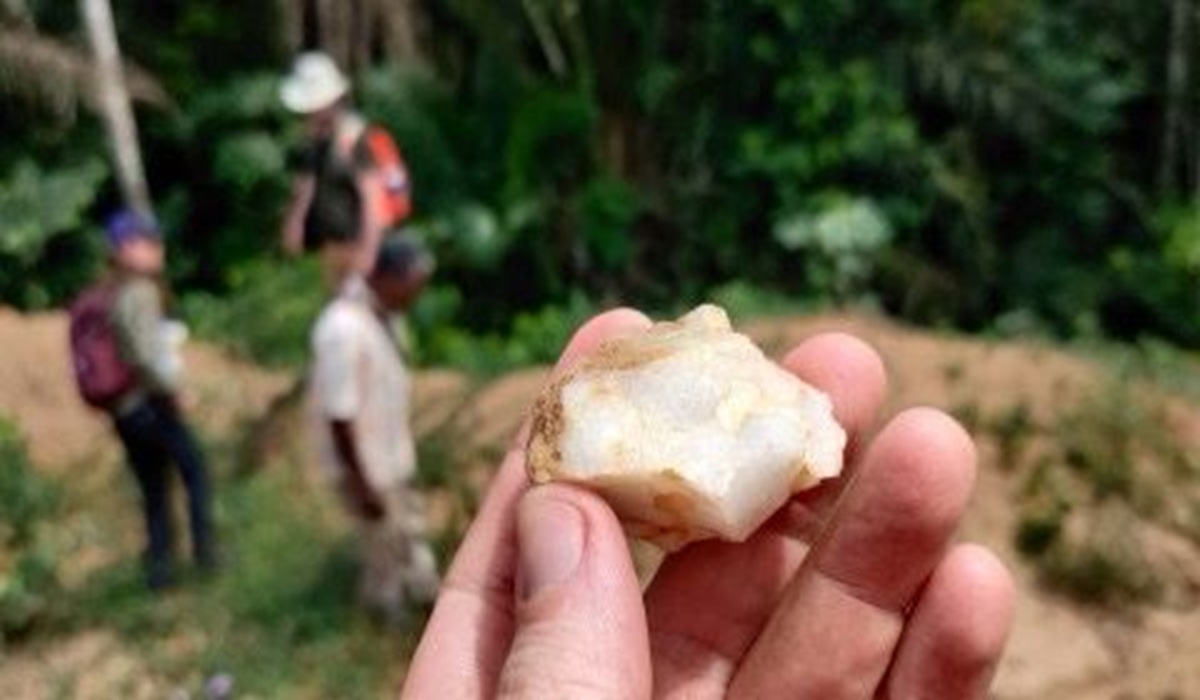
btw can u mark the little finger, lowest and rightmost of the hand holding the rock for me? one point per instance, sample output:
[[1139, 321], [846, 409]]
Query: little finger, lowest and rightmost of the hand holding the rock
[[957, 633]]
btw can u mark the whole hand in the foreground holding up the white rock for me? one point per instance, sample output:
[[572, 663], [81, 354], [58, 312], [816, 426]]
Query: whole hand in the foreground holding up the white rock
[[853, 590]]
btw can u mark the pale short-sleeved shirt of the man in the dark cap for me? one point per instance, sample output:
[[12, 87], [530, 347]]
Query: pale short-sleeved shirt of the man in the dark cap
[[361, 378]]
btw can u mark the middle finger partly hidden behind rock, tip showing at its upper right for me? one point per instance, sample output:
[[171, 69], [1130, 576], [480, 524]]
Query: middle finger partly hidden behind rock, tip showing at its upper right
[[701, 617]]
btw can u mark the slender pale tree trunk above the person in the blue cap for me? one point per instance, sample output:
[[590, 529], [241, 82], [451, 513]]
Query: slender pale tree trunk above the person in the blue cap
[[115, 101]]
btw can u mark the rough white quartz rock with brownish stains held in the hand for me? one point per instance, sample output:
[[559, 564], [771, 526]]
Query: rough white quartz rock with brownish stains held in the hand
[[688, 432]]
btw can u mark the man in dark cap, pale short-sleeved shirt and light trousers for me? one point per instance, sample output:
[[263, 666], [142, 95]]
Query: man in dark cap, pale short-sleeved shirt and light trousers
[[363, 396]]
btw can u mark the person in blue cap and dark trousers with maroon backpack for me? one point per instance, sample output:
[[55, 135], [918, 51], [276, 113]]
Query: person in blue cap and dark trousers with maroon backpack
[[127, 355]]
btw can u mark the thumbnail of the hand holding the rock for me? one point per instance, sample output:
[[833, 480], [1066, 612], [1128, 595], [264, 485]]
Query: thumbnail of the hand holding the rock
[[550, 535]]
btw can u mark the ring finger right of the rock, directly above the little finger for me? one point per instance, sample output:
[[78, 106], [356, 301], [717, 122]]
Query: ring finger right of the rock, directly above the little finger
[[889, 535]]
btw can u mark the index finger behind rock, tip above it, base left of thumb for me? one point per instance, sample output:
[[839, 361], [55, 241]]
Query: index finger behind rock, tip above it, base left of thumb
[[467, 638]]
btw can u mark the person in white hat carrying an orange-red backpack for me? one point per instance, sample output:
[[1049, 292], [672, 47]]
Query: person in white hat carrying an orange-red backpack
[[351, 183]]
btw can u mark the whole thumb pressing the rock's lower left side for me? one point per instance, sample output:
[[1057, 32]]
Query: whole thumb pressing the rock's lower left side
[[580, 621]]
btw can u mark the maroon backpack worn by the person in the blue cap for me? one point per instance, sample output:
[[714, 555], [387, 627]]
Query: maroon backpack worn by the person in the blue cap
[[101, 375]]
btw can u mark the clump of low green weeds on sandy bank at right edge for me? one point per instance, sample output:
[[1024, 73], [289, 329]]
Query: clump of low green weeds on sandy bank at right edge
[[1108, 464]]
